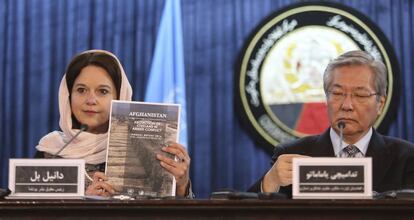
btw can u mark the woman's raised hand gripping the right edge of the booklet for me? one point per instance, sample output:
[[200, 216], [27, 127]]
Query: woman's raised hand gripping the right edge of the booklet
[[179, 168]]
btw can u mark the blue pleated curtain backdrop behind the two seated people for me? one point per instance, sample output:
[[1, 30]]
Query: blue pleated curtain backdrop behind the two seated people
[[38, 38]]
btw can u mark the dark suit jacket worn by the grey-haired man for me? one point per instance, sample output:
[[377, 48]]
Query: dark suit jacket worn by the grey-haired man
[[392, 159]]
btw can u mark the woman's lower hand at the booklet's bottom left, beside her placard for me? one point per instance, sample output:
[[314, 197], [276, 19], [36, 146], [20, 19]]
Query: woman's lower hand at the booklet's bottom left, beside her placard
[[99, 186]]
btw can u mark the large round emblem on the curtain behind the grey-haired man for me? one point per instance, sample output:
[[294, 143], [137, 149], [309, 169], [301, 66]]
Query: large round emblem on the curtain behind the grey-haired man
[[280, 88]]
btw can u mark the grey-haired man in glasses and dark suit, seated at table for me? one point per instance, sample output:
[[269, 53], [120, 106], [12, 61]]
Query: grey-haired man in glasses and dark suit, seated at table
[[355, 87]]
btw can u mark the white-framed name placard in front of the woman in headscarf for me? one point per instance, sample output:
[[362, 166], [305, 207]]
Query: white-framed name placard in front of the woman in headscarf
[[46, 178]]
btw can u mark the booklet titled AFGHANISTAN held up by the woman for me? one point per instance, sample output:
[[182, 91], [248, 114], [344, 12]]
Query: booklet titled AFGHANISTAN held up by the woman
[[137, 132]]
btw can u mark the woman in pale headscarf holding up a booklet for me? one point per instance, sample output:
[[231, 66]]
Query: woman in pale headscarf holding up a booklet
[[92, 80]]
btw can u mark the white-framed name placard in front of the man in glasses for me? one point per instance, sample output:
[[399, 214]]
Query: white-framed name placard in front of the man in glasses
[[332, 178]]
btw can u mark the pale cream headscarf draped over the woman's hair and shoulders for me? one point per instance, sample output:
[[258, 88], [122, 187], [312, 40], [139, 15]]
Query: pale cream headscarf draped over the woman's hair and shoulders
[[88, 146]]
